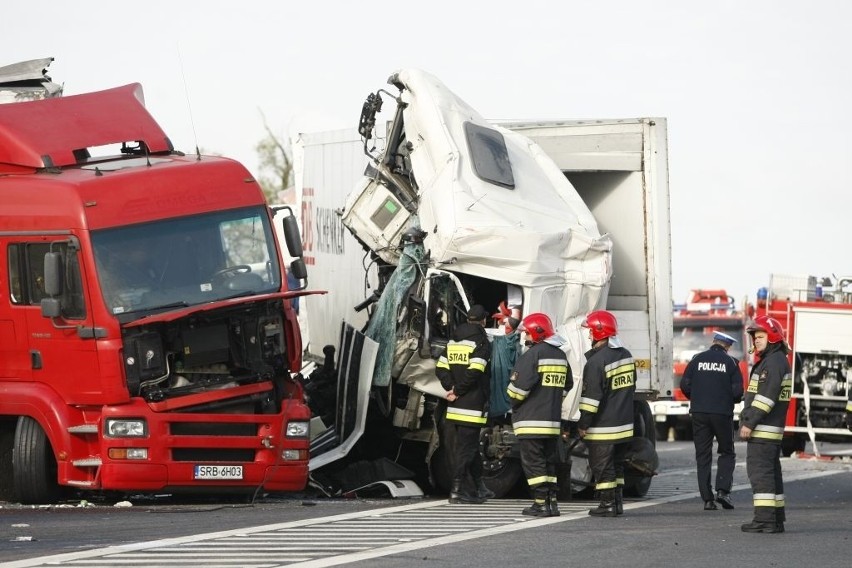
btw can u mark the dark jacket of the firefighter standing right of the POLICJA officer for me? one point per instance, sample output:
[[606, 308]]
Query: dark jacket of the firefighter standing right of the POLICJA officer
[[768, 396]]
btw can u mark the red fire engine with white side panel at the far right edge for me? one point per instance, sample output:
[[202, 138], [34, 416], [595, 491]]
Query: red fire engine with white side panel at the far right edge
[[816, 315]]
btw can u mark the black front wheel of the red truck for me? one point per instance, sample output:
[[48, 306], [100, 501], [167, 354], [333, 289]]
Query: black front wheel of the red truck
[[34, 472]]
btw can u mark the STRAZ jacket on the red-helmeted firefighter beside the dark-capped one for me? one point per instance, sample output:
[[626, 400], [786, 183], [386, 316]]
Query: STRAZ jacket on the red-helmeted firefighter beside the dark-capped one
[[538, 382]]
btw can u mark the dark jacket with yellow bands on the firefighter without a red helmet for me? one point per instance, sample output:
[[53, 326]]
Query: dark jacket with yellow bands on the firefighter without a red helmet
[[463, 367]]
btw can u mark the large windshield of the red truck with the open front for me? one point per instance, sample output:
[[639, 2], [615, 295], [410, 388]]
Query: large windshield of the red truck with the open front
[[186, 261]]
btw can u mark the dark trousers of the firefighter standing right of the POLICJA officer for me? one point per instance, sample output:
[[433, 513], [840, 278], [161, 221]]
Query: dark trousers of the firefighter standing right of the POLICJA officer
[[763, 466]]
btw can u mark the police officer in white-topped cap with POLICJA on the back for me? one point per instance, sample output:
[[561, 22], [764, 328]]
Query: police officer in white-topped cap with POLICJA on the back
[[713, 382]]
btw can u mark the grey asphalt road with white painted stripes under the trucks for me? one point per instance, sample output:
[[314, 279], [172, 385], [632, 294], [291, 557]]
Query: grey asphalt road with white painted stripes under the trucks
[[668, 528]]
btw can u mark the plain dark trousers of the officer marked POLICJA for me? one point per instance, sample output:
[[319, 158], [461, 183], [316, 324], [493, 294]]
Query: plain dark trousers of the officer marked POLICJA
[[706, 428]]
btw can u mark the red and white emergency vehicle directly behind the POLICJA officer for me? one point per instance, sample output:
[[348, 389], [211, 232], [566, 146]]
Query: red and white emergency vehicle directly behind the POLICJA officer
[[705, 312]]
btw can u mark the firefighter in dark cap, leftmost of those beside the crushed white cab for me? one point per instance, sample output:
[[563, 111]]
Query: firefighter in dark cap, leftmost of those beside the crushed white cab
[[463, 371]]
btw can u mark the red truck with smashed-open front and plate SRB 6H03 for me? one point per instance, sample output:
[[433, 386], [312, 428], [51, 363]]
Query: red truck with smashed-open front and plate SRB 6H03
[[147, 337]]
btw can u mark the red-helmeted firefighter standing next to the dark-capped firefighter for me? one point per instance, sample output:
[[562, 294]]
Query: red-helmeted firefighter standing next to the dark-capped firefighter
[[538, 383]]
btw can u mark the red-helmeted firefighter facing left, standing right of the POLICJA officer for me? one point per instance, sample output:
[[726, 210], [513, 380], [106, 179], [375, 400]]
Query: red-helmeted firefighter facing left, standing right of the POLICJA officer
[[762, 424]]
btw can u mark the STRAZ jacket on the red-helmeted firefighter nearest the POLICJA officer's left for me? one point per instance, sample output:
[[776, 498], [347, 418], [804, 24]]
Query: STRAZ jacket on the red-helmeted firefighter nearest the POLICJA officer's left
[[606, 403]]
